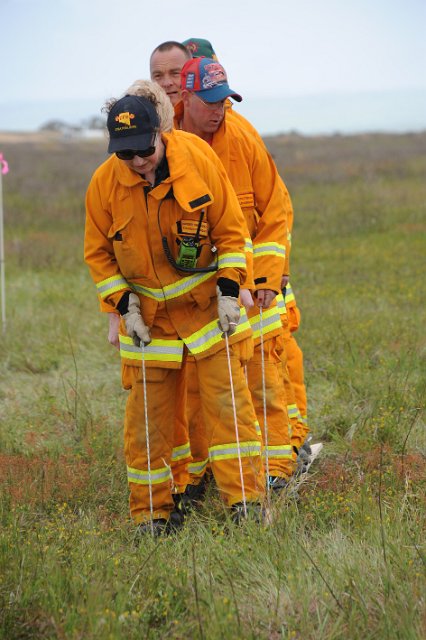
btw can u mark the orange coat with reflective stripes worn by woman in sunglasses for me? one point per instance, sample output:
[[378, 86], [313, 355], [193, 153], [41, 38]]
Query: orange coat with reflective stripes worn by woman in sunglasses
[[124, 248]]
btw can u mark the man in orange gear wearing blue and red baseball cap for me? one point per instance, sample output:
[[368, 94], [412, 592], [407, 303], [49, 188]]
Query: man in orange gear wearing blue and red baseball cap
[[265, 205]]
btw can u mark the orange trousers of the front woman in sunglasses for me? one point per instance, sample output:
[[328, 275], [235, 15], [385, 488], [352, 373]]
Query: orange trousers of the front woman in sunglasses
[[227, 447]]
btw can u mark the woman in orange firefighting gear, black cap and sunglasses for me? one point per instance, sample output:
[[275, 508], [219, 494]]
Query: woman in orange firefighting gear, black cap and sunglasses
[[143, 206]]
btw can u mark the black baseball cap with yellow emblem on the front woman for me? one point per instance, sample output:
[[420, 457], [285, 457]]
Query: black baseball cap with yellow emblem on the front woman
[[132, 123]]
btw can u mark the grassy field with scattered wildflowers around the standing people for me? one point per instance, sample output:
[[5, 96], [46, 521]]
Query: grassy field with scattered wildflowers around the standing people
[[348, 560]]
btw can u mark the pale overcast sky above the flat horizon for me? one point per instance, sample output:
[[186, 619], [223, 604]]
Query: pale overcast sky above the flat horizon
[[52, 50]]
